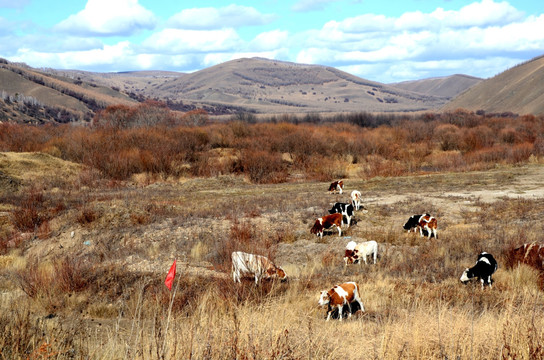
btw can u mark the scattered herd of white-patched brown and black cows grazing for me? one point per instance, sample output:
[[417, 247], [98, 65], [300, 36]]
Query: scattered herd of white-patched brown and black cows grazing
[[346, 296]]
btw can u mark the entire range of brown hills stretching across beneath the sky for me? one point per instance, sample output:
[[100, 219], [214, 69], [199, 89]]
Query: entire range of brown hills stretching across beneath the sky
[[261, 86]]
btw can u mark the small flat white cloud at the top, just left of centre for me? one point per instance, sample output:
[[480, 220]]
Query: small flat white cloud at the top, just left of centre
[[215, 18]]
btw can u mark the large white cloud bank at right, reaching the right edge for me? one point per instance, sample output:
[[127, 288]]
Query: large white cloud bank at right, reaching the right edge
[[484, 29]]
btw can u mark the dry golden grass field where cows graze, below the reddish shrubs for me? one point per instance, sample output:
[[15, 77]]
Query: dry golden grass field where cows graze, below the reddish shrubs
[[84, 261]]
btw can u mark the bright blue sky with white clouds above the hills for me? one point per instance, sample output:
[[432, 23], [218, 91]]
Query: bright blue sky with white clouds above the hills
[[380, 40]]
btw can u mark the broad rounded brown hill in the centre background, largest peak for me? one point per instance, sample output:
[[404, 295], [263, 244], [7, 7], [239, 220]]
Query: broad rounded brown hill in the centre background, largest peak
[[271, 86]]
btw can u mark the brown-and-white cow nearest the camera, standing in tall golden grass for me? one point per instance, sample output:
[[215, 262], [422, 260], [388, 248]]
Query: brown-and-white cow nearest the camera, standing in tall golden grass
[[340, 295]]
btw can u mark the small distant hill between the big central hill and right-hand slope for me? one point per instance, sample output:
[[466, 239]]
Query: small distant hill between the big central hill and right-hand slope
[[447, 86]]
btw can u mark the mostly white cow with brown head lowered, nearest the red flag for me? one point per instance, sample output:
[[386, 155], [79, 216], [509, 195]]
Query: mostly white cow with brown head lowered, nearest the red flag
[[244, 264]]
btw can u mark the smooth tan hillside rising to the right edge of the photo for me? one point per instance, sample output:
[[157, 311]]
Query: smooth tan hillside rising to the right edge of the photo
[[519, 90]]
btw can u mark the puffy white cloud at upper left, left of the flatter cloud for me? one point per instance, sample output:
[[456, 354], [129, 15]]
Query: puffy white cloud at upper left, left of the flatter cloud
[[108, 18]]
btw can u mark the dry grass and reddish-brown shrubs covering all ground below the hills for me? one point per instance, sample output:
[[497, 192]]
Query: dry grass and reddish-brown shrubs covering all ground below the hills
[[92, 218]]
